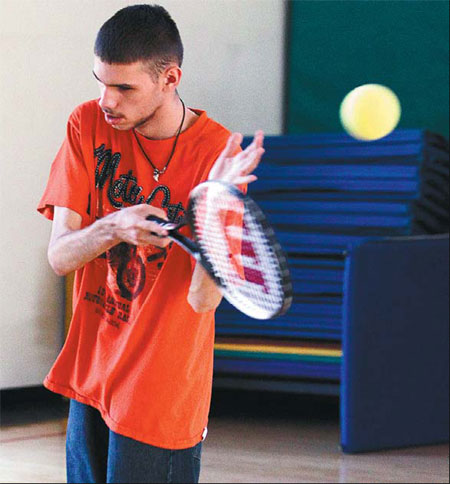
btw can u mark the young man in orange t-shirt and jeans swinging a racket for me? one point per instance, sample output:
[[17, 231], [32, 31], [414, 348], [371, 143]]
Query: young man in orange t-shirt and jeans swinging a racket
[[137, 362]]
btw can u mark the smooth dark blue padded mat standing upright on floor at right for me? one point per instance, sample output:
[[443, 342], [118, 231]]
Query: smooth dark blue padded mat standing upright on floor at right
[[395, 373]]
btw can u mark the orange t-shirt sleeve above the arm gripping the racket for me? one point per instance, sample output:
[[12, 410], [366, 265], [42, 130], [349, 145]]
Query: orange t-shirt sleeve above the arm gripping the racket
[[68, 182]]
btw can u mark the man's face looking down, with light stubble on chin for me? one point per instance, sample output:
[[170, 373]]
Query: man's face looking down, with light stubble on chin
[[129, 94]]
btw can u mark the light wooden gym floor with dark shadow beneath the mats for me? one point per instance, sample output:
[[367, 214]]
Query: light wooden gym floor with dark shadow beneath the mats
[[253, 437]]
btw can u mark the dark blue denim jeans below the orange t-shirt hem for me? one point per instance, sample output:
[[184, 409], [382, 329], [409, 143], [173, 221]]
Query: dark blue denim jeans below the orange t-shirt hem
[[97, 454]]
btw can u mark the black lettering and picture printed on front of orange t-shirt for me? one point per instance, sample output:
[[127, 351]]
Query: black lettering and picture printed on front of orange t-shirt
[[130, 269]]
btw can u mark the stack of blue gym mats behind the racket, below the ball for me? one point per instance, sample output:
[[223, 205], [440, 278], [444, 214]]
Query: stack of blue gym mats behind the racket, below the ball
[[322, 193]]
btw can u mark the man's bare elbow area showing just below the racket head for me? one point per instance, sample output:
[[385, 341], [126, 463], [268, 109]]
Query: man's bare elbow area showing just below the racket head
[[203, 293]]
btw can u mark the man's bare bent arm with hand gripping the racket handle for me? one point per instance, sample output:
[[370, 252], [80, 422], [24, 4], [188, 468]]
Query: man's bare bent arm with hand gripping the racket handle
[[71, 247]]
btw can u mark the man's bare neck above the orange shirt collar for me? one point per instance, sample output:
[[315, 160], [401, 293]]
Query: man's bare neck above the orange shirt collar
[[166, 121]]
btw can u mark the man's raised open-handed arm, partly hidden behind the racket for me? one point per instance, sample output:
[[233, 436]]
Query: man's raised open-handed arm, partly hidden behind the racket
[[203, 293]]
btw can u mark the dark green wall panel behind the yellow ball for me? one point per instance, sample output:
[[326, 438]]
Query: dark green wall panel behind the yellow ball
[[337, 45]]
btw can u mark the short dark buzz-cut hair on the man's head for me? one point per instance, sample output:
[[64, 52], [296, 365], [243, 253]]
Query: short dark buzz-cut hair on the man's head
[[140, 33]]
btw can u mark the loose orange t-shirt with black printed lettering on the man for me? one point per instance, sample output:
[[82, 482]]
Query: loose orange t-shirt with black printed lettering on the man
[[135, 350]]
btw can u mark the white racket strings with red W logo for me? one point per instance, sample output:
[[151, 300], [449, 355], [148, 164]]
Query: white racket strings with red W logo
[[233, 237]]
